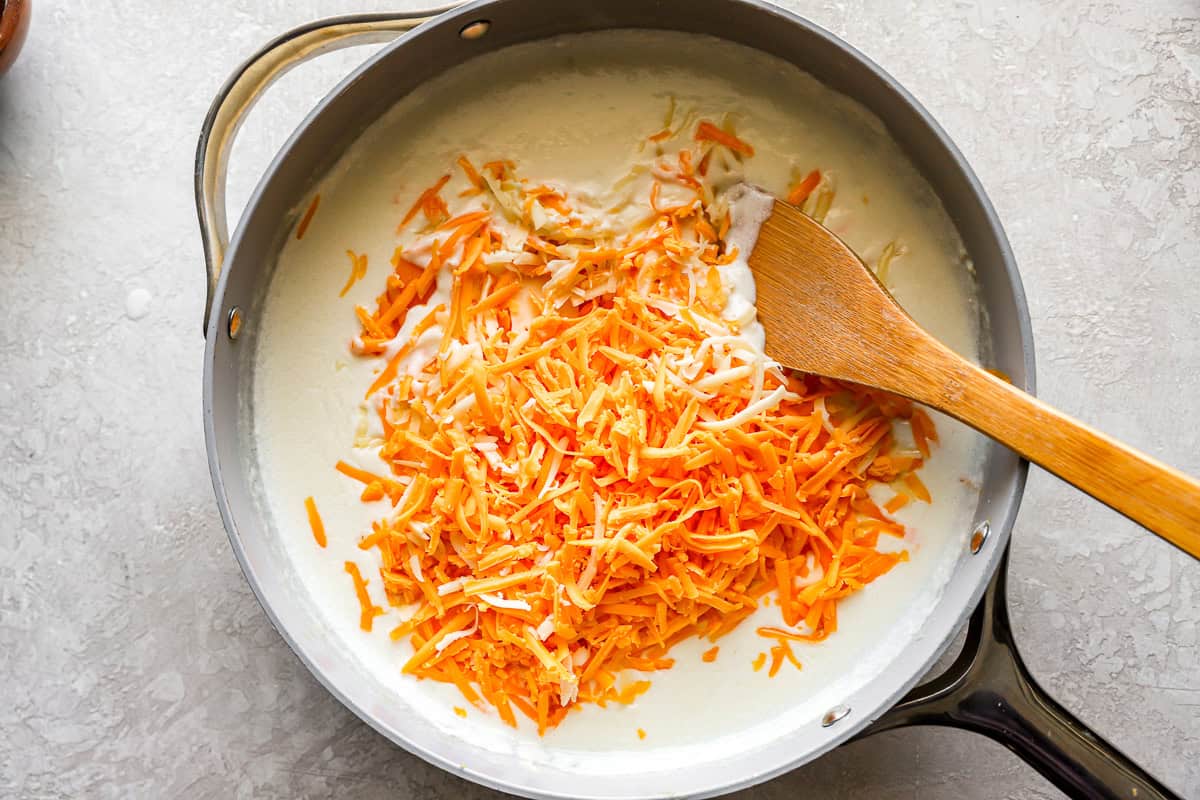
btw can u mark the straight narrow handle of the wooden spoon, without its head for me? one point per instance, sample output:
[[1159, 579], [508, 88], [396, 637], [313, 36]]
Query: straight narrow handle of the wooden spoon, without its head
[[1157, 497]]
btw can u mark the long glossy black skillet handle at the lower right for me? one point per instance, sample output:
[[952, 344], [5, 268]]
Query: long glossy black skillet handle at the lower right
[[989, 690]]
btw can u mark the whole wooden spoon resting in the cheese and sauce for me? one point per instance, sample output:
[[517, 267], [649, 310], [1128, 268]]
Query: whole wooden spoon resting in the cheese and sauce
[[825, 312]]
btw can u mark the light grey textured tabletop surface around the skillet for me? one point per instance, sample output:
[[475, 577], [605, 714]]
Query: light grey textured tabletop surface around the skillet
[[135, 660]]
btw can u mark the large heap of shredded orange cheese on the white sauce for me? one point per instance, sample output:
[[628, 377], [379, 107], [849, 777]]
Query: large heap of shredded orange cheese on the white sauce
[[587, 465]]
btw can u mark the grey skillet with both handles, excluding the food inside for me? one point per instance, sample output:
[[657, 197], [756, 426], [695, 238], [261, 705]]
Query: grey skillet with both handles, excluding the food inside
[[988, 690]]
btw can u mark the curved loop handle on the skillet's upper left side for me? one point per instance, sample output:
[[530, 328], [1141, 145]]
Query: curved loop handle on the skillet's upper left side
[[243, 91]]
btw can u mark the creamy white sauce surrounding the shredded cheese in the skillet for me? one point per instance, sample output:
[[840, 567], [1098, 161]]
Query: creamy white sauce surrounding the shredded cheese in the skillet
[[575, 112]]
